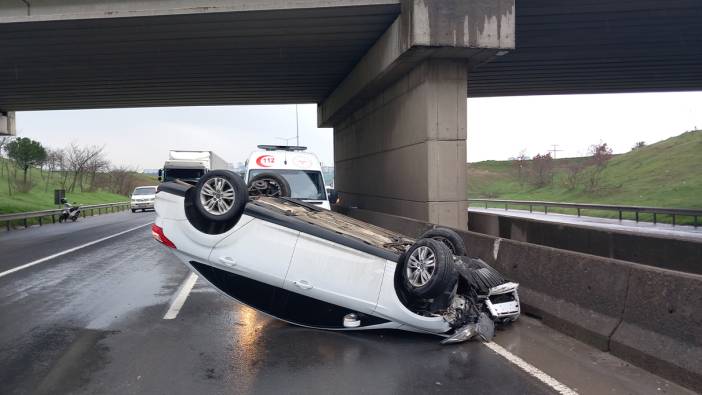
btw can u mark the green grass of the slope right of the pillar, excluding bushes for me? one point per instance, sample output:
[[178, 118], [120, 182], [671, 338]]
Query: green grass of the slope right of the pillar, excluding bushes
[[664, 174]]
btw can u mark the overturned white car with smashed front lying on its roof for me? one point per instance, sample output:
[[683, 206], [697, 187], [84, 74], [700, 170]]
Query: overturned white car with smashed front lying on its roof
[[313, 267]]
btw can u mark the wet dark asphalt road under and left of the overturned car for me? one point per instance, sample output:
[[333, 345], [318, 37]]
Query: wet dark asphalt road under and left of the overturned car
[[92, 322]]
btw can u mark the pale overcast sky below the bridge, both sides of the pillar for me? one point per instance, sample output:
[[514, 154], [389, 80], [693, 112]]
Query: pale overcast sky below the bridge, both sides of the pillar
[[498, 128]]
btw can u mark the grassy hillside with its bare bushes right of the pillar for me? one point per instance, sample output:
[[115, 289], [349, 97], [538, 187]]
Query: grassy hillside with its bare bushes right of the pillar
[[665, 174]]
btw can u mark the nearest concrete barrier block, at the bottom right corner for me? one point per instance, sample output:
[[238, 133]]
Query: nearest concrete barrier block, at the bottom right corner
[[661, 328]]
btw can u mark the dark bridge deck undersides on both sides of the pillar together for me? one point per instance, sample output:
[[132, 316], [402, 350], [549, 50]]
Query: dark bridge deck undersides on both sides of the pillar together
[[301, 55]]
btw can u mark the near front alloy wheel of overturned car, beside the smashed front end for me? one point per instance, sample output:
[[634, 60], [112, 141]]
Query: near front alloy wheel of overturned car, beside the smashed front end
[[428, 269]]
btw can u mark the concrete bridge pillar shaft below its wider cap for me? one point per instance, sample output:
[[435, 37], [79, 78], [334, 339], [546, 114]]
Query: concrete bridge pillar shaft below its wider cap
[[404, 151]]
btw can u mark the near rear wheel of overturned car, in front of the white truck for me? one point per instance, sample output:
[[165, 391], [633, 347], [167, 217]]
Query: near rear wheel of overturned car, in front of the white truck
[[216, 202]]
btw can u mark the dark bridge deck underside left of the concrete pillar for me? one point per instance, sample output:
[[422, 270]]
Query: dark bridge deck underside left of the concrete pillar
[[259, 57]]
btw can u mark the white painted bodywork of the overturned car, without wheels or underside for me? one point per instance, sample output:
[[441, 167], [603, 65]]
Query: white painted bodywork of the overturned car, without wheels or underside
[[302, 264]]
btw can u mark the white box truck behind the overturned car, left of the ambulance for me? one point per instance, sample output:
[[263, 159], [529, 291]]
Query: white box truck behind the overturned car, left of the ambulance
[[189, 166]]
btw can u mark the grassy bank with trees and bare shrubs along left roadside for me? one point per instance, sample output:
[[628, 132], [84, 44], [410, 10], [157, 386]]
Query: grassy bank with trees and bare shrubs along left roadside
[[29, 173]]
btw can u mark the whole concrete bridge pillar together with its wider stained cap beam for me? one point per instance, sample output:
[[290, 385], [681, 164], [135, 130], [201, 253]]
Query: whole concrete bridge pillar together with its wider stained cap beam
[[399, 117]]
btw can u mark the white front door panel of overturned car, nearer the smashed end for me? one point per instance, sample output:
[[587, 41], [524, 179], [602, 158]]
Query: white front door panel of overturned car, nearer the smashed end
[[335, 274]]
